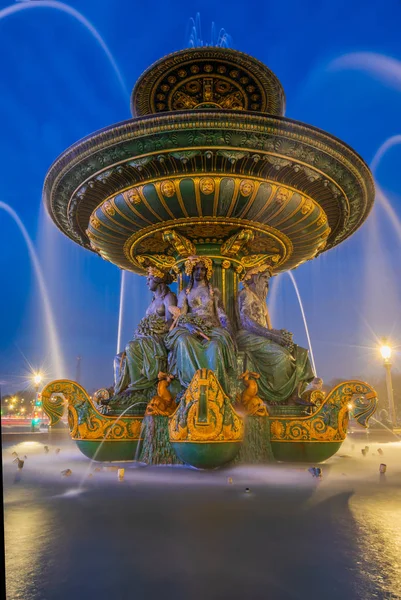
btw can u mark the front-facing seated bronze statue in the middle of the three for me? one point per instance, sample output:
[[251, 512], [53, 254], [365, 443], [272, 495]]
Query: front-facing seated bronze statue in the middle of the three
[[201, 334]]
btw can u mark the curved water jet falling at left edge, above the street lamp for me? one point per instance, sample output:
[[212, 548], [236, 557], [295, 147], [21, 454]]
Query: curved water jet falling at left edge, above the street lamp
[[56, 357]]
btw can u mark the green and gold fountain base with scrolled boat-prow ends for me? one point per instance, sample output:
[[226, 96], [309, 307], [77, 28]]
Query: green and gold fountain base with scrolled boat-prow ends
[[215, 434]]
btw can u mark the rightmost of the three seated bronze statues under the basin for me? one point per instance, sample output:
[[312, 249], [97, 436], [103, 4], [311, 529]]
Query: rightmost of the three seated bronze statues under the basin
[[284, 368]]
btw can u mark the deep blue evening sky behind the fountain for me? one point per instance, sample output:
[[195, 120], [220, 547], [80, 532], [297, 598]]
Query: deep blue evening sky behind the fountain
[[340, 65]]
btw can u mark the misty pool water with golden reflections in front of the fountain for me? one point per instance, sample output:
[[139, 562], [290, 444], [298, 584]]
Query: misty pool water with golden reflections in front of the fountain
[[192, 534]]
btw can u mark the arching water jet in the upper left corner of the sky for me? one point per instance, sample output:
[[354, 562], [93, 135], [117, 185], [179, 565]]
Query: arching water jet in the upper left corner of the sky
[[25, 5]]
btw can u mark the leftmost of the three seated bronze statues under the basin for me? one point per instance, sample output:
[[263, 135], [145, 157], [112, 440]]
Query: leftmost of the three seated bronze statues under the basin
[[137, 368]]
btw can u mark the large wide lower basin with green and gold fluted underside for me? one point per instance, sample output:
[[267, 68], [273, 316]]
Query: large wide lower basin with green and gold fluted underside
[[209, 174]]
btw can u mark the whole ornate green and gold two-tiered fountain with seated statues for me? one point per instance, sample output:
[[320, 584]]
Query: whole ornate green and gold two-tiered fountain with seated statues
[[209, 185]]
